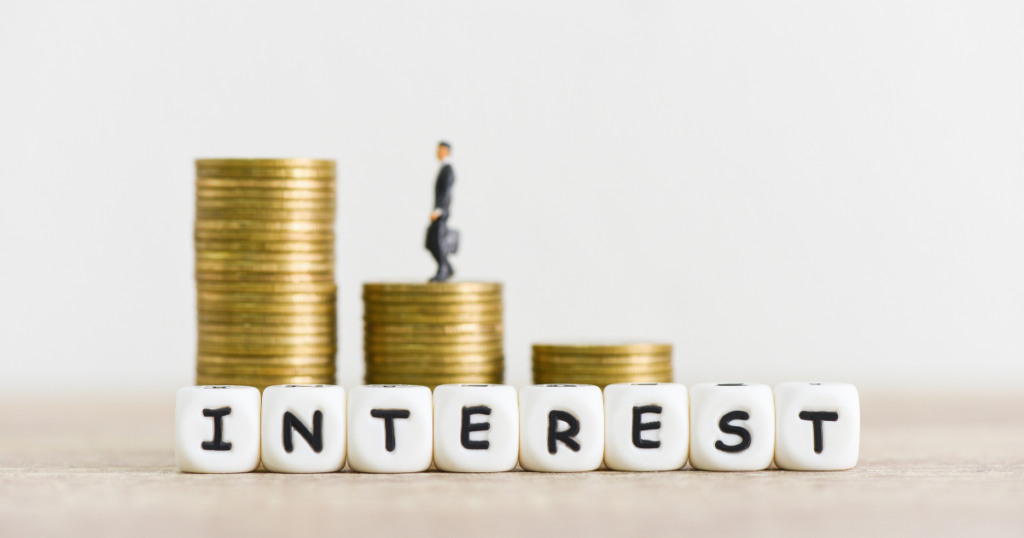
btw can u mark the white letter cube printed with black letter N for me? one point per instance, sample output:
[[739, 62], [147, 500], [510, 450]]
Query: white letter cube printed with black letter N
[[304, 429]]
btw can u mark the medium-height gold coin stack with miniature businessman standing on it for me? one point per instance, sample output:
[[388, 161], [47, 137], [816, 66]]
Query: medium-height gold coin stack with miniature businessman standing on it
[[432, 335]]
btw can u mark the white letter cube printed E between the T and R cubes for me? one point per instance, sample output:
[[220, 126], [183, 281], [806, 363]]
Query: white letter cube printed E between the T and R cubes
[[477, 428]]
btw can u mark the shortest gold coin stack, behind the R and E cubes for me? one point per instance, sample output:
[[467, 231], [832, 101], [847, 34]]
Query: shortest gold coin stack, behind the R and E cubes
[[603, 364]]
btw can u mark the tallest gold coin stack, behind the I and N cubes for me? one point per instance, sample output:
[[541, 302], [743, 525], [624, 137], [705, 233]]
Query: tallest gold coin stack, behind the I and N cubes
[[265, 272]]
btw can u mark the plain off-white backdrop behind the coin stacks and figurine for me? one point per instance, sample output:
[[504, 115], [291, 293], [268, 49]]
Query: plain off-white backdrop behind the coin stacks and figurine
[[783, 190]]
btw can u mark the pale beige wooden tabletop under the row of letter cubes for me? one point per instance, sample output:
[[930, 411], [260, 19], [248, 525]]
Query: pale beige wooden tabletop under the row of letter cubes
[[931, 465]]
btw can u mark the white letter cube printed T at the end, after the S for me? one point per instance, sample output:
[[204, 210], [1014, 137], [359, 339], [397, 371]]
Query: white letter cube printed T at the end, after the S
[[818, 427]]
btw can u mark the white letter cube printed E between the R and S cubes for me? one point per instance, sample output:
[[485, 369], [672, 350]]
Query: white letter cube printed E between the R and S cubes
[[647, 427]]
